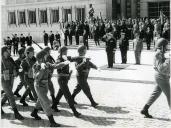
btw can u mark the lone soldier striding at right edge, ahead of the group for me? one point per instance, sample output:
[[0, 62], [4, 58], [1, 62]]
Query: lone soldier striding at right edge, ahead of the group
[[162, 76]]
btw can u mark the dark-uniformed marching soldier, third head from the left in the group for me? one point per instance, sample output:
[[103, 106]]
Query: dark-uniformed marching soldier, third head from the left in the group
[[27, 65]]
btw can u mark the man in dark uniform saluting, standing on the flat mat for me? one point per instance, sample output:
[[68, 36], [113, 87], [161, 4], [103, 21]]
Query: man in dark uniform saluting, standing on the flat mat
[[110, 48]]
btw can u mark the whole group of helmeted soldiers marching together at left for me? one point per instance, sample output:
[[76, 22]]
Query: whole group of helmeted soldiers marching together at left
[[35, 73]]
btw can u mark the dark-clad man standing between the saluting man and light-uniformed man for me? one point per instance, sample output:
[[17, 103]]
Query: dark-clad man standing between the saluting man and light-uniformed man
[[123, 45]]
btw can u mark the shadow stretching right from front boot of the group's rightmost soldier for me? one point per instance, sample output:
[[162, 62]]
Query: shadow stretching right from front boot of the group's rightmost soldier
[[112, 110]]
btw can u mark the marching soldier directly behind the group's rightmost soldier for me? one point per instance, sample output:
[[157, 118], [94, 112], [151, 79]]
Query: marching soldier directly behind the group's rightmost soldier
[[64, 76]]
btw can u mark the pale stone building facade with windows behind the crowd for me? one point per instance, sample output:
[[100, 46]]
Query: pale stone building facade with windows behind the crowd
[[35, 16]]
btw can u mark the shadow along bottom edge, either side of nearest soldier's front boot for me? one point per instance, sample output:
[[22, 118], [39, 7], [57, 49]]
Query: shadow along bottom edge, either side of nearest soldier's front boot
[[30, 122]]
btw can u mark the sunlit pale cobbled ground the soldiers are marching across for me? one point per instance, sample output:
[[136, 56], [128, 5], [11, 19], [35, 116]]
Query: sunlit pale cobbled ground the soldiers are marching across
[[121, 93]]
